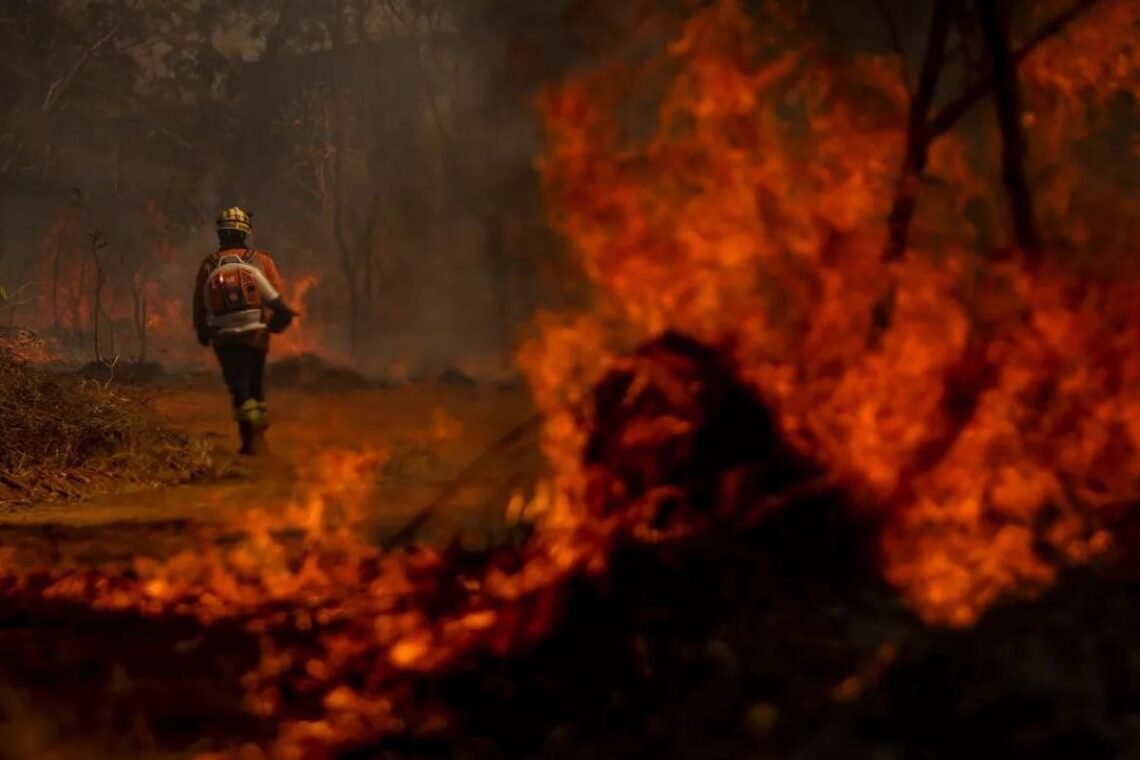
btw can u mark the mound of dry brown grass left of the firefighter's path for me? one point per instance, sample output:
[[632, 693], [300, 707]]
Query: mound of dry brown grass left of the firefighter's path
[[68, 438]]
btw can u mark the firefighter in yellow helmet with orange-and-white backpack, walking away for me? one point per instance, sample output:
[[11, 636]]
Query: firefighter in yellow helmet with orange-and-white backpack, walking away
[[238, 304]]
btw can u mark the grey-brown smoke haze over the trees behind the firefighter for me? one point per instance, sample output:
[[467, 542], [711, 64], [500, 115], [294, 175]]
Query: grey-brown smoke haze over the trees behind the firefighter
[[385, 148]]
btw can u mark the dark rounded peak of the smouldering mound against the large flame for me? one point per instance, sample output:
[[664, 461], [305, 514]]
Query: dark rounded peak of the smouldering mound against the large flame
[[678, 440]]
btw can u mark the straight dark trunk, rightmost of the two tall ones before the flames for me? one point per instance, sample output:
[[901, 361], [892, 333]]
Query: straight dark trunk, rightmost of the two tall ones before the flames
[[1008, 105]]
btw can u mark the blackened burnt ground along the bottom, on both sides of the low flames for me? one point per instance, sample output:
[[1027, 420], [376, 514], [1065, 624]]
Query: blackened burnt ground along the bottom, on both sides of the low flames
[[748, 651]]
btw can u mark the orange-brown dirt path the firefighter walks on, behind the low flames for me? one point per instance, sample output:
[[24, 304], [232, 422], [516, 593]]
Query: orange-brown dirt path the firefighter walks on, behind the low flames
[[428, 435]]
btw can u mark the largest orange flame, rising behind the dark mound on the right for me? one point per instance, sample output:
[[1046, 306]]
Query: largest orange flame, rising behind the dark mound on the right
[[994, 422]]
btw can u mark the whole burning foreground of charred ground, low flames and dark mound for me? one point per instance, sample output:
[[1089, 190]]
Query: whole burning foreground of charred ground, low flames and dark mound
[[705, 603]]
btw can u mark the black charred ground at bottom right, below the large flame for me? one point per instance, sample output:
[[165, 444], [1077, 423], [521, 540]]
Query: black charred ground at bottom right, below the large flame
[[753, 650]]
